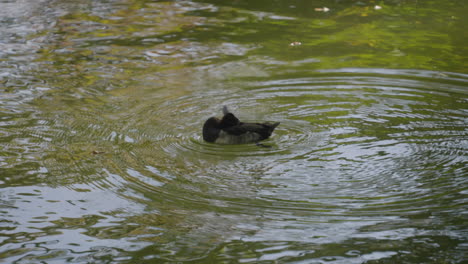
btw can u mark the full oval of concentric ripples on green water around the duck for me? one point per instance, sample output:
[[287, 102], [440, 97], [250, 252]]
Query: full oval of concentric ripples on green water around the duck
[[350, 140]]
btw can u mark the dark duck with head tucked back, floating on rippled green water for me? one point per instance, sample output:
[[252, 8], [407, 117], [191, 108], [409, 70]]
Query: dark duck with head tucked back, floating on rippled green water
[[230, 130]]
